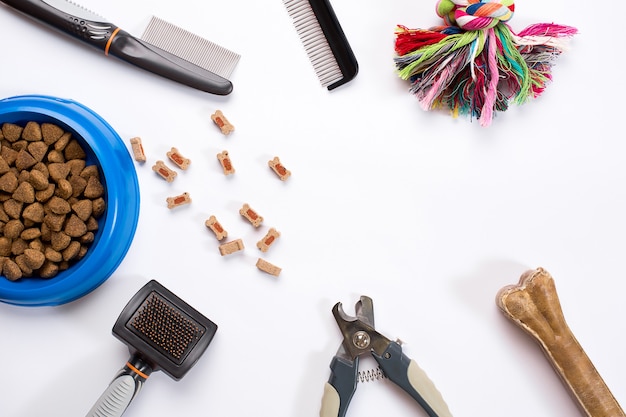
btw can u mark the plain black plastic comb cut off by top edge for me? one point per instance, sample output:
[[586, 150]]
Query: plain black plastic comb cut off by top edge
[[324, 41]]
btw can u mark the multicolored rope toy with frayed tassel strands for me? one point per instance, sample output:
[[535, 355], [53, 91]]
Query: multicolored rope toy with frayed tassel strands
[[475, 64]]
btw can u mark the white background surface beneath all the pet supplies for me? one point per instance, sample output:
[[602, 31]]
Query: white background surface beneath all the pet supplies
[[428, 215]]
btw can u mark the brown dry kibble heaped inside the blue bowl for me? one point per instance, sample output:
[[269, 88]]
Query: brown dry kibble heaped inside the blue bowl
[[50, 200]]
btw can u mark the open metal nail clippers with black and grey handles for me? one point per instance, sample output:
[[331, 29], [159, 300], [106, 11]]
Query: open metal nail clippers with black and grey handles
[[360, 338]]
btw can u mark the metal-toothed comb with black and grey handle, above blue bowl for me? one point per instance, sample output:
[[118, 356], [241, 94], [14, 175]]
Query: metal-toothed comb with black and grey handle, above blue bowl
[[189, 68]]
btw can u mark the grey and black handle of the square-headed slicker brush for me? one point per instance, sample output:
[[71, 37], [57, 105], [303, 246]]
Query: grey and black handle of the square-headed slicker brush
[[122, 390]]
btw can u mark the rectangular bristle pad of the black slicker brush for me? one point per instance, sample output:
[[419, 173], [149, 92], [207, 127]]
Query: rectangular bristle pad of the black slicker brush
[[165, 327]]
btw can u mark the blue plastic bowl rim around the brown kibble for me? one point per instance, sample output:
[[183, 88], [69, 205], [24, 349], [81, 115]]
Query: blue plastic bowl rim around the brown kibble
[[117, 225]]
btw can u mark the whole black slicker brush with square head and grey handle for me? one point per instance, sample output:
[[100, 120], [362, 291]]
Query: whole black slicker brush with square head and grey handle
[[162, 333]]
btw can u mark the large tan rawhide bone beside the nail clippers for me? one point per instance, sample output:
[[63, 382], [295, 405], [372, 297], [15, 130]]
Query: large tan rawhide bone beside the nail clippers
[[533, 305]]
